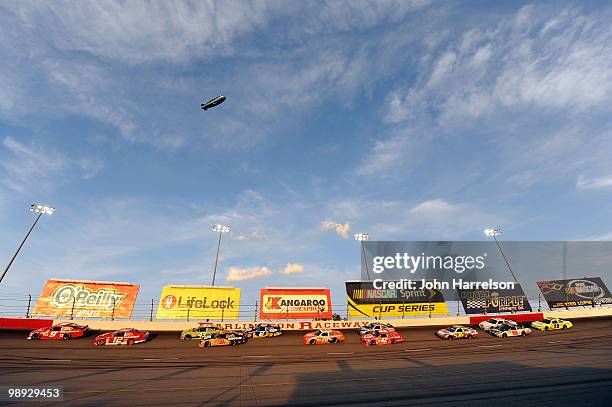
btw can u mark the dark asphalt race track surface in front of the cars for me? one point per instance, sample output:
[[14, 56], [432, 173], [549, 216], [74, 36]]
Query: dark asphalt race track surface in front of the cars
[[572, 367]]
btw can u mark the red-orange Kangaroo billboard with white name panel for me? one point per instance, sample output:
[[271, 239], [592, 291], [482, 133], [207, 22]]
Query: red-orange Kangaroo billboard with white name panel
[[295, 303]]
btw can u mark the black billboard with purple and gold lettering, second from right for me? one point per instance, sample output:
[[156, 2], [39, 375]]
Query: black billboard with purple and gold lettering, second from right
[[494, 301]]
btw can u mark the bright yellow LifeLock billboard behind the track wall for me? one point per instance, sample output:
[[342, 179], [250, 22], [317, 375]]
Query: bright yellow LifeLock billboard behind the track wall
[[198, 302]]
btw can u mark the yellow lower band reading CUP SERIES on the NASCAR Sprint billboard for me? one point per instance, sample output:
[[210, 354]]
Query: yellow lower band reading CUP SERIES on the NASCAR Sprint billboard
[[396, 310]]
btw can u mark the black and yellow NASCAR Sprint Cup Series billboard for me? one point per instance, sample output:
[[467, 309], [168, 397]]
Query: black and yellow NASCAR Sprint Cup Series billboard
[[366, 301]]
